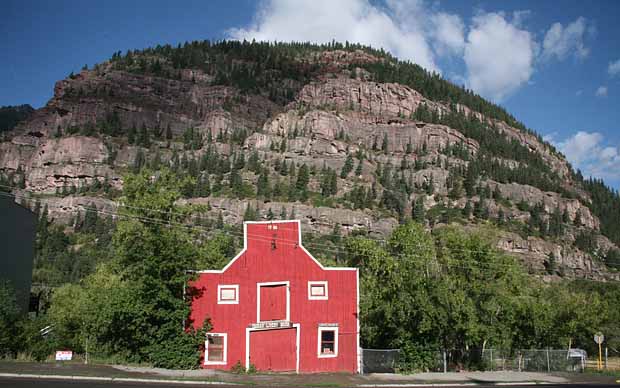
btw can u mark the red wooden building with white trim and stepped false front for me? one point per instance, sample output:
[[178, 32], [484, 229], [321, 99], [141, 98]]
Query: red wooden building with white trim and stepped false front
[[276, 307]]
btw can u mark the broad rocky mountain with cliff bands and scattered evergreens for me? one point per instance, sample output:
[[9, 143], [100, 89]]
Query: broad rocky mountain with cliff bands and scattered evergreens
[[347, 138]]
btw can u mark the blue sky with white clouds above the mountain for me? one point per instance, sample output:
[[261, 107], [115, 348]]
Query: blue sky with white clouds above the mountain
[[553, 64]]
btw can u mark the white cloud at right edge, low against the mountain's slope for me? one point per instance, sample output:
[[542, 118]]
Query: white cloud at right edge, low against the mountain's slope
[[588, 152]]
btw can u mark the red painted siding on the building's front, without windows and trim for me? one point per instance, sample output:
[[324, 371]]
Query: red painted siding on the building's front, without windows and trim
[[274, 253]]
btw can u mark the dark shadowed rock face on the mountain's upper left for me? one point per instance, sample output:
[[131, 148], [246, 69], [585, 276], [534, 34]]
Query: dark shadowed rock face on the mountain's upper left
[[91, 96]]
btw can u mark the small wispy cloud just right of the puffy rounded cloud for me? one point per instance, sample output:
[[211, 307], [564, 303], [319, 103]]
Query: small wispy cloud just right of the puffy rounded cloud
[[561, 41]]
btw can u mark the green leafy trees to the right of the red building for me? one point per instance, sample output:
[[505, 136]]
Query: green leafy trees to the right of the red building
[[453, 290]]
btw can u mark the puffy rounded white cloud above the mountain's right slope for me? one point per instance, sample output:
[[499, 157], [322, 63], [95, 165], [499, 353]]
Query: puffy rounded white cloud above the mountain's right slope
[[499, 56]]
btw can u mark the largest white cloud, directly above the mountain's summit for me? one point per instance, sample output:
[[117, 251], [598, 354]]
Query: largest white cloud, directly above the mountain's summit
[[395, 29]]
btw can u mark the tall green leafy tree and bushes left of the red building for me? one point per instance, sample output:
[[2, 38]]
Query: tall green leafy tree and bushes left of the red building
[[134, 305]]
